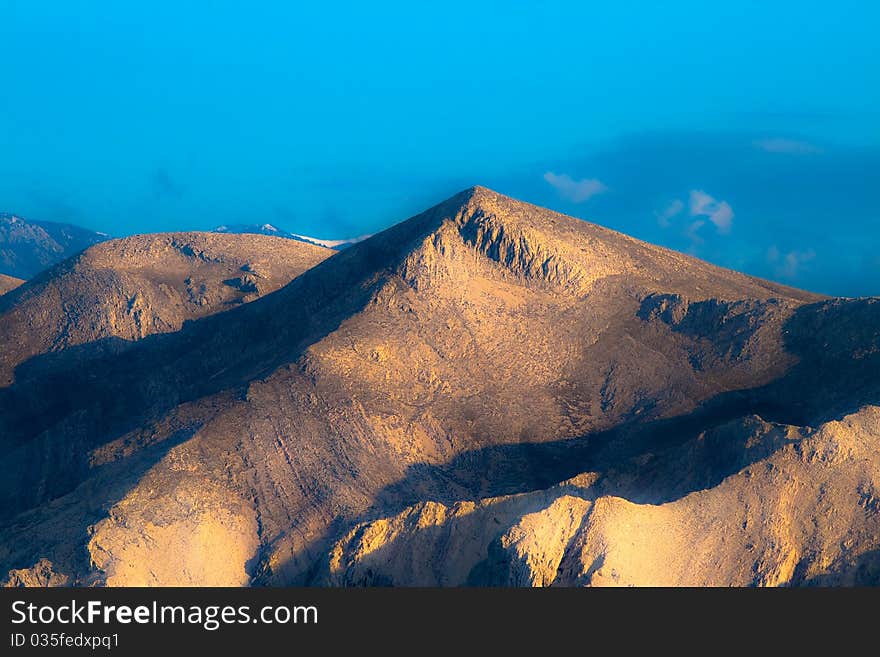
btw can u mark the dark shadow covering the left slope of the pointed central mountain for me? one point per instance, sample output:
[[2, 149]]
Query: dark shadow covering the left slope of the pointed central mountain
[[93, 393]]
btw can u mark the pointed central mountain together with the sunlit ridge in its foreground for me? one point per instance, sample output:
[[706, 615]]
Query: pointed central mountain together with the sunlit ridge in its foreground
[[485, 393]]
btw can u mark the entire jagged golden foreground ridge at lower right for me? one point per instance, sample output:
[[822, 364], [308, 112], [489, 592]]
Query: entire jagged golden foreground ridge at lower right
[[806, 513]]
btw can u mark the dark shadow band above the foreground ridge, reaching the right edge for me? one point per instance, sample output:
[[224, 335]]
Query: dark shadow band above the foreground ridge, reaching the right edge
[[653, 462]]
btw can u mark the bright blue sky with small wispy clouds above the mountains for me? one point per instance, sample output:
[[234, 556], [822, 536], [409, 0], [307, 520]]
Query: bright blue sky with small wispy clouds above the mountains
[[747, 133]]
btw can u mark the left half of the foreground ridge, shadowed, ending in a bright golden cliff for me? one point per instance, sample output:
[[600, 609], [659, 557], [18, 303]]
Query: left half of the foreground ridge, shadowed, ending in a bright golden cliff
[[514, 540]]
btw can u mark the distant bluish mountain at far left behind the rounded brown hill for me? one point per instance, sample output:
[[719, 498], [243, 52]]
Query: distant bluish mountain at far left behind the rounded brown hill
[[29, 247]]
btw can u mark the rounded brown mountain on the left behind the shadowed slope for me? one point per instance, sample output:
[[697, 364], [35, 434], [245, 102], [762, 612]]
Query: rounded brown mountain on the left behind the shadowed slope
[[121, 291]]
